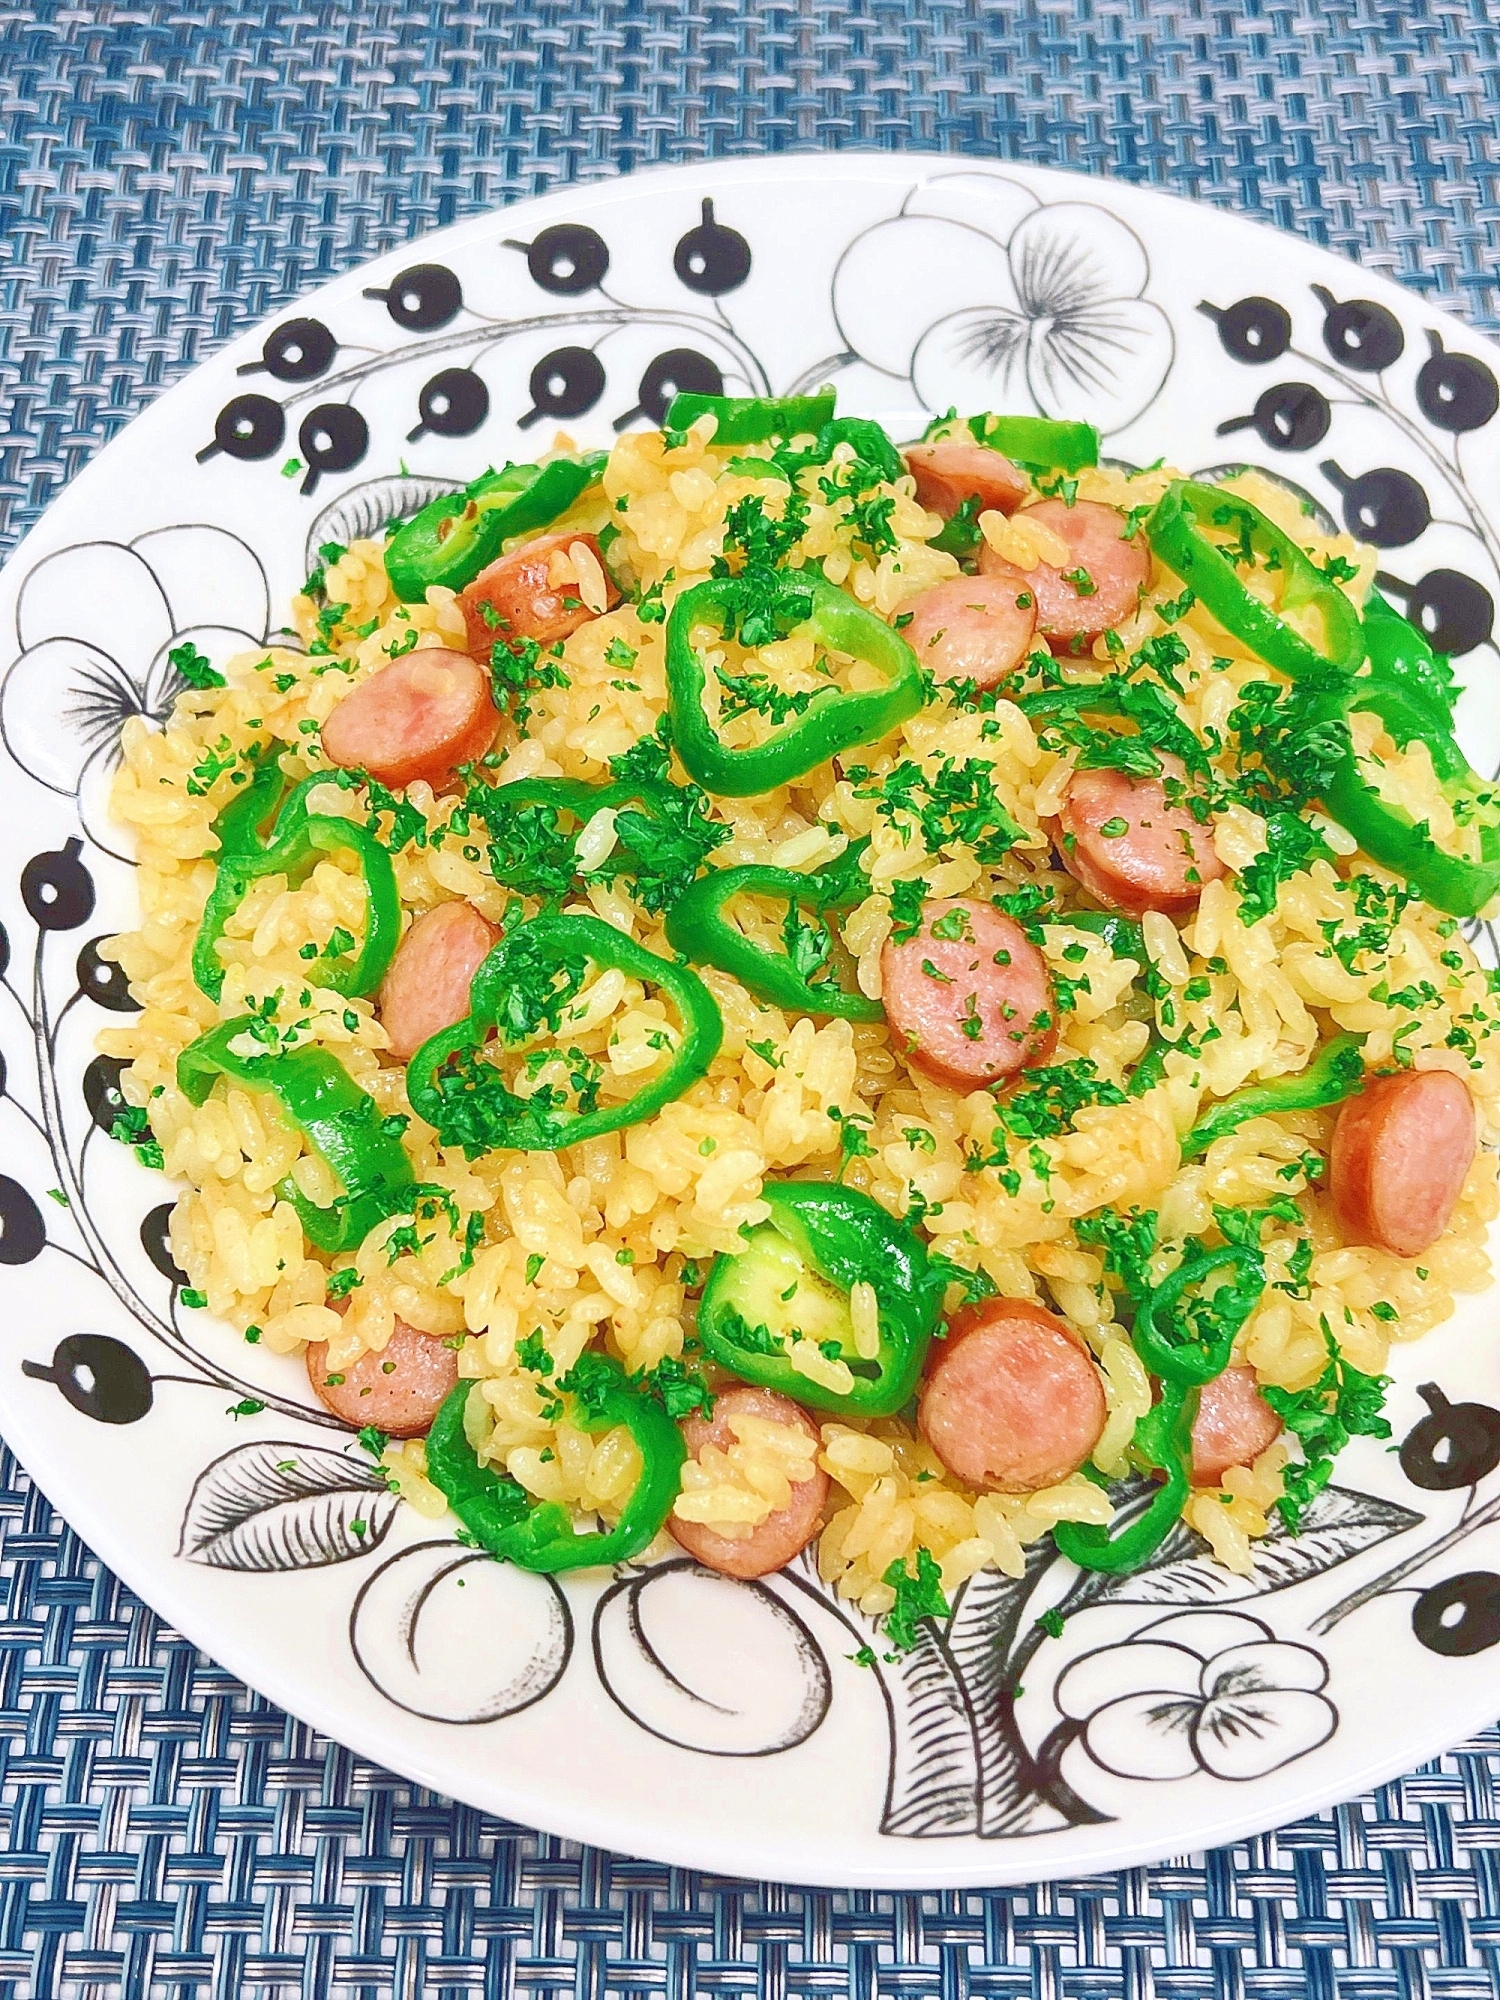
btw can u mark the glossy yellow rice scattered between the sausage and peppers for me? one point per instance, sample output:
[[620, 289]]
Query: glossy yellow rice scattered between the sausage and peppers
[[607, 1243]]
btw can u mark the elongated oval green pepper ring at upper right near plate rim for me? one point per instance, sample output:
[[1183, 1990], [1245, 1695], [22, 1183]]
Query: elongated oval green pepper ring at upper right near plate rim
[[1209, 573]]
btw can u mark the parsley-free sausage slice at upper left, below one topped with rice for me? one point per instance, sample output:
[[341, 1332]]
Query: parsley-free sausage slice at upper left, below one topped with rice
[[421, 717]]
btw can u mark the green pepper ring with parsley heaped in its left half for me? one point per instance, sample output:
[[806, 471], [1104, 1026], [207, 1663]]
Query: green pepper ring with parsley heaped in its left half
[[569, 937]]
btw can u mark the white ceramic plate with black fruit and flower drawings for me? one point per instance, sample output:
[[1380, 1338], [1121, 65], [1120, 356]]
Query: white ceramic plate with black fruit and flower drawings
[[677, 1715]]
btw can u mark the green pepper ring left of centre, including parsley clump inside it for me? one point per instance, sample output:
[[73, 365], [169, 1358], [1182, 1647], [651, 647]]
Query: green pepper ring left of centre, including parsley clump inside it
[[525, 985]]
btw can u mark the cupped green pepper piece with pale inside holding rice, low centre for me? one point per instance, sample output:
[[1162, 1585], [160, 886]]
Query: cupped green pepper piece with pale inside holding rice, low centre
[[793, 1283]]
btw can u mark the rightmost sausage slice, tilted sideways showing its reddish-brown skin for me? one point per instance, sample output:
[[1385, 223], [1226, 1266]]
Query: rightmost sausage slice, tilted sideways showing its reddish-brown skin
[[1401, 1155]]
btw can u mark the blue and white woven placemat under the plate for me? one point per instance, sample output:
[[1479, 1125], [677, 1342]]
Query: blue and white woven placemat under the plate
[[173, 173]]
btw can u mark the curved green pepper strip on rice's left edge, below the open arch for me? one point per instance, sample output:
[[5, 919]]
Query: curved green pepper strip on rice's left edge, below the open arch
[[339, 1121]]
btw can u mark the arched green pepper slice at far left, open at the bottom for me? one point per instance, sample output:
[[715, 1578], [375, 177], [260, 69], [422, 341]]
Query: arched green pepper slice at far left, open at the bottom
[[297, 843]]
